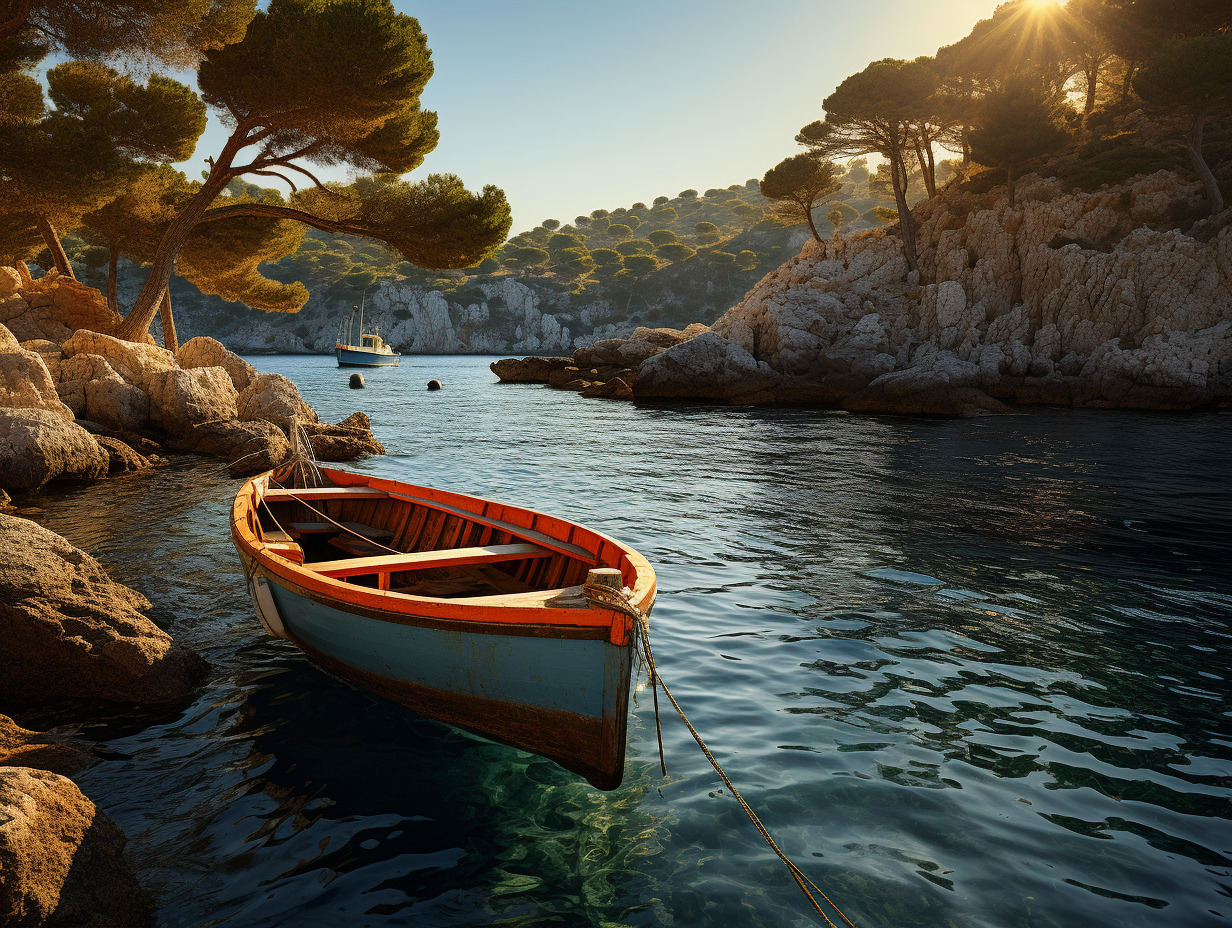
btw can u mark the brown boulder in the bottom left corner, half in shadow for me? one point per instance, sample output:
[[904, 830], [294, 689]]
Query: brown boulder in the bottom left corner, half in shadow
[[62, 863]]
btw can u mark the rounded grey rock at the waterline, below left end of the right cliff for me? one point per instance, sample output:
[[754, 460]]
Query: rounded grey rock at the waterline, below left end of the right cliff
[[705, 367]]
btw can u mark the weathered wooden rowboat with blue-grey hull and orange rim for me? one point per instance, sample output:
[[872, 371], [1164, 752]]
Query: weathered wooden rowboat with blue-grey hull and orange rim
[[465, 611]]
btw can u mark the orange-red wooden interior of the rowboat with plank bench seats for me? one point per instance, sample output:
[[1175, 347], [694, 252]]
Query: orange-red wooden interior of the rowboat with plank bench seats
[[426, 548]]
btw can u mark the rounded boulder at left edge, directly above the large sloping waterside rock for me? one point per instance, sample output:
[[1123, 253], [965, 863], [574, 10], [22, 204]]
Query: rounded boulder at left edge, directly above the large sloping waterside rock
[[38, 447]]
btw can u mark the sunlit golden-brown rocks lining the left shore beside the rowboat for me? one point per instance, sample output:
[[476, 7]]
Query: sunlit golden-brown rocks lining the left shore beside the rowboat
[[81, 405]]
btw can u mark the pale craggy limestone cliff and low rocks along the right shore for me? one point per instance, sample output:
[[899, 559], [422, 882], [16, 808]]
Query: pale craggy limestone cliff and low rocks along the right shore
[[1069, 299]]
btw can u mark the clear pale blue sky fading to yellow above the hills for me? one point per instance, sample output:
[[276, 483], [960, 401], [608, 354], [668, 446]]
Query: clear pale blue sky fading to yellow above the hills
[[575, 105]]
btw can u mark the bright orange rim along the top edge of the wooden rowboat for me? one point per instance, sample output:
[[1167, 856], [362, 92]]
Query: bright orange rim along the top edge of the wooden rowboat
[[635, 570]]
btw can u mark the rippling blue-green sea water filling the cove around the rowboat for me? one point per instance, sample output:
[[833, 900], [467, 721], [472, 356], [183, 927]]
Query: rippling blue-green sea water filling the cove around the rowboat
[[970, 674]]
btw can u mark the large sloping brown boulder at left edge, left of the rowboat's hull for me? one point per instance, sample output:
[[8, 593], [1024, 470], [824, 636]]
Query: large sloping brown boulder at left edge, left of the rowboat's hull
[[72, 633]]
